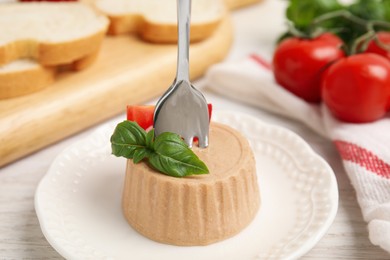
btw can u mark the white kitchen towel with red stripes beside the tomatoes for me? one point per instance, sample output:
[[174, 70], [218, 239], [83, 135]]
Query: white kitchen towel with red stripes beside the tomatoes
[[364, 148]]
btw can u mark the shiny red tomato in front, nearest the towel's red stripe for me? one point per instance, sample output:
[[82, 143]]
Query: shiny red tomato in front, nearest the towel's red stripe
[[357, 88]]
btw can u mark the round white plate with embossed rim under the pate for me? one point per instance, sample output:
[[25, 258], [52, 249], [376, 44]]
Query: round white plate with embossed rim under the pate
[[78, 202]]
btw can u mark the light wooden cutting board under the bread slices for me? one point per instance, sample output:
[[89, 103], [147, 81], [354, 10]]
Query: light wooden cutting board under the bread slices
[[127, 71]]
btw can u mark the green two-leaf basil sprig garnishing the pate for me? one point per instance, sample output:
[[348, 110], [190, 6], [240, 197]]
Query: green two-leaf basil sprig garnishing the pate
[[167, 153]]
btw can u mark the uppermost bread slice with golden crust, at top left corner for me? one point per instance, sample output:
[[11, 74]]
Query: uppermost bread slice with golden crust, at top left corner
[[50, 33]]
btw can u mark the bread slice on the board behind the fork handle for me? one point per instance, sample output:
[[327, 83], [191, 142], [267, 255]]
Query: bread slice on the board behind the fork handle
[[155, 21]]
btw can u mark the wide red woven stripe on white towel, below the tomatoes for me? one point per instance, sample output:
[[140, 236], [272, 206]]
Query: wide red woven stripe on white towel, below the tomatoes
[[363, 157]]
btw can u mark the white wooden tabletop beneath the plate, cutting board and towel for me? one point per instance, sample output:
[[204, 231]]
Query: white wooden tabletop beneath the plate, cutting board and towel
[[256, 29]]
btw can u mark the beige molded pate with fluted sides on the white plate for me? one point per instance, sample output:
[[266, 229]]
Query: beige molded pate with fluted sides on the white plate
[[199, 209]]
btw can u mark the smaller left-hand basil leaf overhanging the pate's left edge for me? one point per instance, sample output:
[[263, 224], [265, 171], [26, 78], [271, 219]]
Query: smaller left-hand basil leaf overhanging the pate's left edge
[[128, 136]]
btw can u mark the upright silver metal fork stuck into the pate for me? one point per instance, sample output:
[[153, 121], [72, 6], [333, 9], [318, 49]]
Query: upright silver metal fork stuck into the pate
[[183, 109]]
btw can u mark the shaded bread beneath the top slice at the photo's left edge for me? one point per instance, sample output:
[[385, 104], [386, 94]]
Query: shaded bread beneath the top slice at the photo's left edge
[[26, 76]]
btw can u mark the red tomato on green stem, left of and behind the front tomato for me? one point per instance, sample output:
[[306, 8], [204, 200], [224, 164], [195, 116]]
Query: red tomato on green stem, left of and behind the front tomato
[[298, 64]]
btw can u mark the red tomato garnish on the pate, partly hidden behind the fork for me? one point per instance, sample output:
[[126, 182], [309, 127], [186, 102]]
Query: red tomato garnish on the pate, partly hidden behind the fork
[[143, 115]]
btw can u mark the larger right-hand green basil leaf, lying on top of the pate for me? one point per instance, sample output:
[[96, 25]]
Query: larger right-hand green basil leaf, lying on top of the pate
[[173, 157]]
